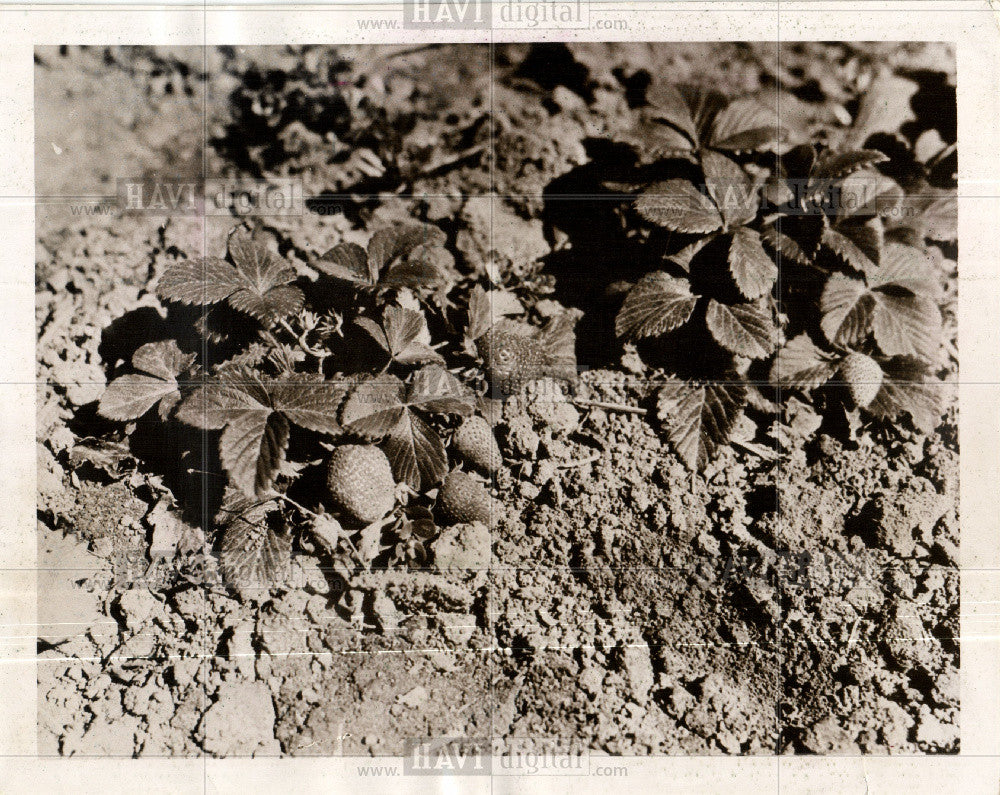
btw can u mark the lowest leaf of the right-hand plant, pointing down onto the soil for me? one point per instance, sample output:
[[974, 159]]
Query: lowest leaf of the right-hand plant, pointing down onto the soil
[[698, 418]]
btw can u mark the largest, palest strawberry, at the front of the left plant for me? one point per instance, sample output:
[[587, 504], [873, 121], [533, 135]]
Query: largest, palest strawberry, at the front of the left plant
[[361, 482]]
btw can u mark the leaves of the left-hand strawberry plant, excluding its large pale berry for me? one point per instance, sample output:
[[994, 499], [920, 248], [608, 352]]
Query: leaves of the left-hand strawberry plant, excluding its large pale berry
[[311, 373]]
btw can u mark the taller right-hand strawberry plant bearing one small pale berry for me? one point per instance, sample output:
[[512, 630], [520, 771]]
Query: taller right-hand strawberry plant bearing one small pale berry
[[803, 268]]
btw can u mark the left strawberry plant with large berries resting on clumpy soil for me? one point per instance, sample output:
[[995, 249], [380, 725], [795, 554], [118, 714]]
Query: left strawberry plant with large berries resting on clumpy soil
[[353, 378]]
